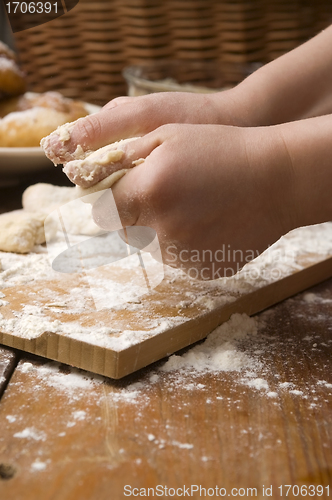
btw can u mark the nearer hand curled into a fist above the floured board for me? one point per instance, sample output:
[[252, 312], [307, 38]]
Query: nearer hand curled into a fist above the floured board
[[206, 189]]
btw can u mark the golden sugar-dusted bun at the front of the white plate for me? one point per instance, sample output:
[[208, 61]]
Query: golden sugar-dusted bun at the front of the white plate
[[32, 116]]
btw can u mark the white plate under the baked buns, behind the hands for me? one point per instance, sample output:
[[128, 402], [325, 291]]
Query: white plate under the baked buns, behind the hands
[[15, 161]]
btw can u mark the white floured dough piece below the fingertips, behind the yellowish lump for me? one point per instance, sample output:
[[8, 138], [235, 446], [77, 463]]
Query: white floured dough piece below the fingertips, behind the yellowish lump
[[46, 198]]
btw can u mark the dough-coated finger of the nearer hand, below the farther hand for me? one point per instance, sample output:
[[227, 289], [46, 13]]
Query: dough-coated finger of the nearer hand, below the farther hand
[[107, 160]]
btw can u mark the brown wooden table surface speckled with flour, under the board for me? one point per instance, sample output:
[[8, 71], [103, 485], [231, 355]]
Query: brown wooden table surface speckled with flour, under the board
[[68, 435]]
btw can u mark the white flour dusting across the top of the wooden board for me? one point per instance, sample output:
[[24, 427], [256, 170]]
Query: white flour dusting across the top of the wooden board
[[59, 309]]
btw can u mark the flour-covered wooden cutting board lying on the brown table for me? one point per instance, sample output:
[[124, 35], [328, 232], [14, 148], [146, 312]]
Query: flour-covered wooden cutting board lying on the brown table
[[117, 341]]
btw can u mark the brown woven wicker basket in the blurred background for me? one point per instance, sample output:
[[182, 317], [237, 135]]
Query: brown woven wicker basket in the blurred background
[[83, 53]]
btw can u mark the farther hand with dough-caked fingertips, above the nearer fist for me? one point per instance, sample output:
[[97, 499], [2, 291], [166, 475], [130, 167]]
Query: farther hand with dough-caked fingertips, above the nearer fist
[[126, 117]]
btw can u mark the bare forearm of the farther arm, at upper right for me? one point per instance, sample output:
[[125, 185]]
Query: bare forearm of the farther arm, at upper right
[[295, 86]]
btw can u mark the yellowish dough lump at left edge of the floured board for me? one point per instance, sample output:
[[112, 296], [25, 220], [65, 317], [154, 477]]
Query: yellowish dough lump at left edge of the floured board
[[21, 231]]
